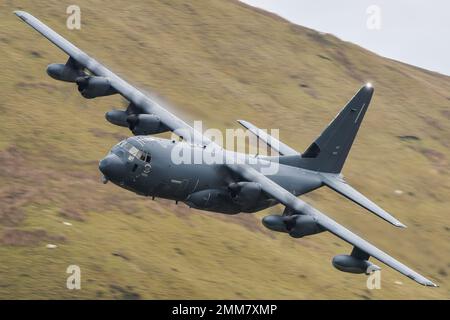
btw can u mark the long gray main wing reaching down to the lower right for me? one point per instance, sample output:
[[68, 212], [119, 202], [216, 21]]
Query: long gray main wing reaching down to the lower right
[[290, 201]]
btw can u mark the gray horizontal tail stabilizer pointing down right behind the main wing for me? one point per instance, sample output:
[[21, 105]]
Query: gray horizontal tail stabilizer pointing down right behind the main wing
[[339, 185]]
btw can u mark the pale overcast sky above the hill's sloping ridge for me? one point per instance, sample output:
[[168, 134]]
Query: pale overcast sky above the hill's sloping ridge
[[416, 32]]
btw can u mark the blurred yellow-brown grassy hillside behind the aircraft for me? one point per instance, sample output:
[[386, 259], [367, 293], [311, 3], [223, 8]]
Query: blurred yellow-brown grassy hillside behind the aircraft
[[218, 61]]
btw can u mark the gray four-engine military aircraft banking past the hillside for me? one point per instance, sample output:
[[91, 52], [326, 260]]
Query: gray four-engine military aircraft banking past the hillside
[[145, 164]]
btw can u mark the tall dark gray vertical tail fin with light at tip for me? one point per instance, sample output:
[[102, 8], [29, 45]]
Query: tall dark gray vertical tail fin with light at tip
[[329, 151]]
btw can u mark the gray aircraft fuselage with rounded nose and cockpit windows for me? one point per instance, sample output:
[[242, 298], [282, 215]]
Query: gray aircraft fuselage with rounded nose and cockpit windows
[[153, 167]]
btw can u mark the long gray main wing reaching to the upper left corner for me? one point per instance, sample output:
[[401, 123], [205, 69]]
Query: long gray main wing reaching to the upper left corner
[[143, 103]]
